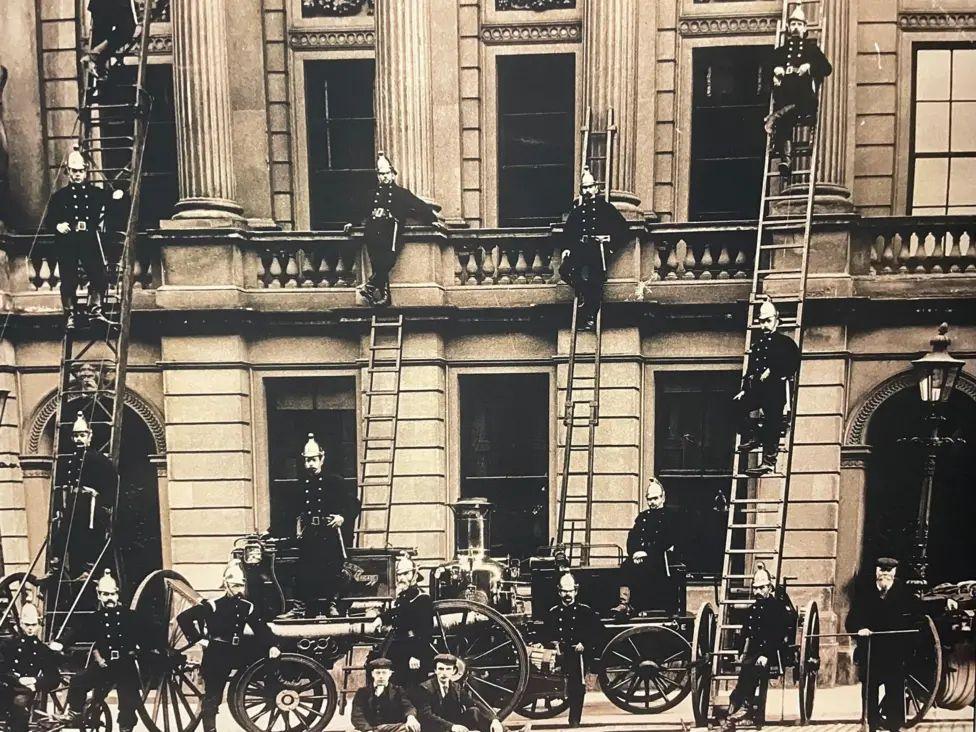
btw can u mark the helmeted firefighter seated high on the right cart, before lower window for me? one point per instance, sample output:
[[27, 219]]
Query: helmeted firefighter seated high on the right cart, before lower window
[[648, 569]]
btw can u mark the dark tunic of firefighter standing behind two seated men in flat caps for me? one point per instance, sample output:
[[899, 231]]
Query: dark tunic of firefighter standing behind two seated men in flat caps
[[412, 620]]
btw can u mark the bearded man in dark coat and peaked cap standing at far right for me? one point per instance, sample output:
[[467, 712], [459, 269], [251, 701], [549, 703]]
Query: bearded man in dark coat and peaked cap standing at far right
[[886, 604]]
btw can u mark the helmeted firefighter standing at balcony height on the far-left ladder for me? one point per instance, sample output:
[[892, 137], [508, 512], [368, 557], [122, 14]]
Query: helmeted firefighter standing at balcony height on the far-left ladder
[[76, 213]]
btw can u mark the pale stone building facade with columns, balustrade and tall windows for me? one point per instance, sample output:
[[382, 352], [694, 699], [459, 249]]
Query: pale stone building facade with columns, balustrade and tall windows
[[246, 332]]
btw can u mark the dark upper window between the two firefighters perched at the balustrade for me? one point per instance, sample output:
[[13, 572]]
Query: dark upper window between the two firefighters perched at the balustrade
[[536, 134]]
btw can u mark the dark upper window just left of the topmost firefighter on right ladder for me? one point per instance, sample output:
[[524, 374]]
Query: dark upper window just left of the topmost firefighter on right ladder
[[730, 99]]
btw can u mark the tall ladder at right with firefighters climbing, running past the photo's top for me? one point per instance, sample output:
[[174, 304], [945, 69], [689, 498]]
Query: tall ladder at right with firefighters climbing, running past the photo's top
[[757, 510]]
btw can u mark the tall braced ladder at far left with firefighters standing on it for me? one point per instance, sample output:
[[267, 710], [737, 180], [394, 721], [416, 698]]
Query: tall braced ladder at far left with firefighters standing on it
[[112, 127]]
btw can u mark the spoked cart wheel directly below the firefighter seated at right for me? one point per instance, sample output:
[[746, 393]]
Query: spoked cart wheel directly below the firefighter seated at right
[[646, 669]]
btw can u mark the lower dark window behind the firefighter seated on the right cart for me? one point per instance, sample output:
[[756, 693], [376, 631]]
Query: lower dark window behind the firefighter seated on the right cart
[[693, 440]]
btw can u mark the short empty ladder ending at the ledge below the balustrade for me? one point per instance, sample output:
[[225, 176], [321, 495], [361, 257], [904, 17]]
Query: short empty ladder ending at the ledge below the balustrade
[[381, 406]]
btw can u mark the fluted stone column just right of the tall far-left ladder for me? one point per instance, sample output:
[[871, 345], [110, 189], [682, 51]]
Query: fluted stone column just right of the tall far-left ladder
[[204, 132]]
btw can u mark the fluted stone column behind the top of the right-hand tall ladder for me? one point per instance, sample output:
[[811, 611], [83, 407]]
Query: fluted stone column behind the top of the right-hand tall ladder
[[832, 188]]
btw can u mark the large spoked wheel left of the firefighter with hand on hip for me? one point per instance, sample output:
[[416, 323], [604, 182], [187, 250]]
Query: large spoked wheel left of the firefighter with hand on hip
[[172, 690]]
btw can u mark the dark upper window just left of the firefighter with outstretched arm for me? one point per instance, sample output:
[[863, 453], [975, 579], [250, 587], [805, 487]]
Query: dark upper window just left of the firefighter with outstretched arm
[[341, 139]]
